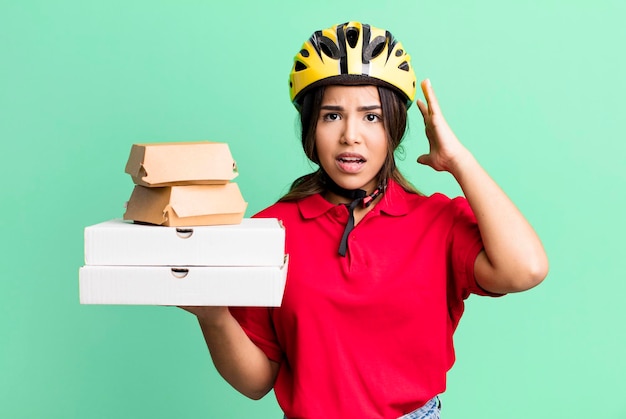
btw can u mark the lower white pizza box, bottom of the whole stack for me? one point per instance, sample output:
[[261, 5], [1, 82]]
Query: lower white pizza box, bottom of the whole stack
[[183, 286]]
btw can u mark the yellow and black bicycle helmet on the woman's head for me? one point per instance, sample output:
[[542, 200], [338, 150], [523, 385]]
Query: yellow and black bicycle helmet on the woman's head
[[352, 53]]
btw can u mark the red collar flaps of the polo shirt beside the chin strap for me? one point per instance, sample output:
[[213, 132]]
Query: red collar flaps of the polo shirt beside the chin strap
[[392, 203]]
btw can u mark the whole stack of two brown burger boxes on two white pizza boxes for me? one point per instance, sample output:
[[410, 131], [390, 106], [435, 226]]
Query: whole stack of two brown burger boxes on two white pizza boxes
[[183, 239]]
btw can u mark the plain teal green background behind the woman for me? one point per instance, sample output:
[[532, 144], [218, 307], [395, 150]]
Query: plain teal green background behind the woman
[[534, 88]]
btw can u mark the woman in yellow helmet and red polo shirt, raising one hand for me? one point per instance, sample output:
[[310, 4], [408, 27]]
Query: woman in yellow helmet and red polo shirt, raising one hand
[[378, 272]]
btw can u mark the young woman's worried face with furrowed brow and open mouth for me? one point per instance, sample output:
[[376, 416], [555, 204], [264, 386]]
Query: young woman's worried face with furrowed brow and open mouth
[[350, 136]]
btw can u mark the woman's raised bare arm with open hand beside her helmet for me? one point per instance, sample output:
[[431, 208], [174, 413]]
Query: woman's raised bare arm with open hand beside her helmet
[[513, 259]]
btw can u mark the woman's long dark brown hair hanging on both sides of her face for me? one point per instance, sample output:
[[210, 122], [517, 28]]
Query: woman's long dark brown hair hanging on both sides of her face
[[394, 113]]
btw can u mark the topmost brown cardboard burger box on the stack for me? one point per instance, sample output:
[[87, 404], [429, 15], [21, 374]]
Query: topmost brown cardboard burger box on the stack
[[183, 163]]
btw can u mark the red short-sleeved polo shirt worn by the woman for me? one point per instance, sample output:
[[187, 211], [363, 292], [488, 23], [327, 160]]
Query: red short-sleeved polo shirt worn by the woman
[[369, 334]]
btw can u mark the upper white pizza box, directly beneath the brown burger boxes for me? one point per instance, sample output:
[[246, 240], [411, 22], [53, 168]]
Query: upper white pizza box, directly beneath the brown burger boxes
[[253, 242]]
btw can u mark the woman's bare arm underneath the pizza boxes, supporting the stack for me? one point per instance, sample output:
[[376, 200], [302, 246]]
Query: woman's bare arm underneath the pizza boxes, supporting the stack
[[242, 364]]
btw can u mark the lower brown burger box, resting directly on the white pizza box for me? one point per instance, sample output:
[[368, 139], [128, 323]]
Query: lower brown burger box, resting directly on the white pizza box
[[187, 205]]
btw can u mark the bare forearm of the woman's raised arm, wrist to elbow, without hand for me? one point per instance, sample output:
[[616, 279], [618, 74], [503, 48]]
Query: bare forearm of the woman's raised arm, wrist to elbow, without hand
[[514, 258]]
